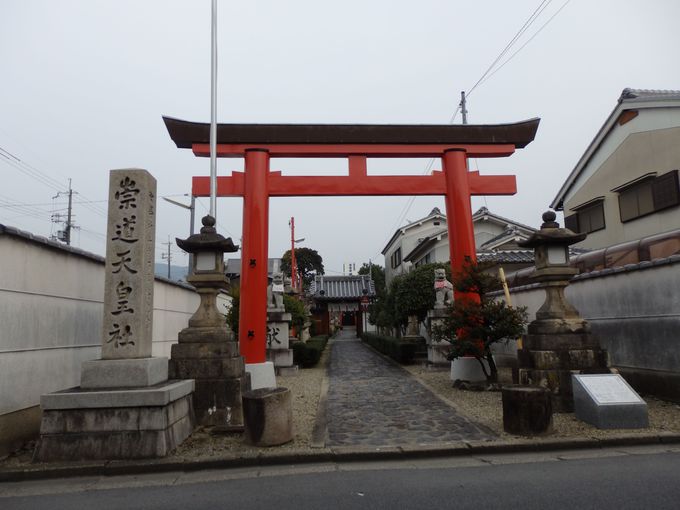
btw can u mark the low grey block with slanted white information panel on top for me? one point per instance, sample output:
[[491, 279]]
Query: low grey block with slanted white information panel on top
[[608, 402]]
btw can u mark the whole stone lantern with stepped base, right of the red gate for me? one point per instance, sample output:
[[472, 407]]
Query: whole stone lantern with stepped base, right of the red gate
[[559, 342]]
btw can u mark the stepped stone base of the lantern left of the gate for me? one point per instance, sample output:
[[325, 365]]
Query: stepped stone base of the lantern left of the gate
[[219, 372]]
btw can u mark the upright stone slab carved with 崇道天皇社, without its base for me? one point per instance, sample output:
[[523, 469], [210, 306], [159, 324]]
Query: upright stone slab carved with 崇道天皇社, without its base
[[128, 289]]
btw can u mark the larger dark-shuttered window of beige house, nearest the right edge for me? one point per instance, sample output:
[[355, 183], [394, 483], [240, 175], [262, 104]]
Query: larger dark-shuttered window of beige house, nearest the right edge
[[648, 195]]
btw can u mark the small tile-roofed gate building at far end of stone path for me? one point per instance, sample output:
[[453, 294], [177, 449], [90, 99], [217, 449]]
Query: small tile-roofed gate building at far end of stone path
[[342, 300]]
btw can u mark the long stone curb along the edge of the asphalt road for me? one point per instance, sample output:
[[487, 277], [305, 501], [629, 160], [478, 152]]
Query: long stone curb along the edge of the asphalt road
[[336, 454]]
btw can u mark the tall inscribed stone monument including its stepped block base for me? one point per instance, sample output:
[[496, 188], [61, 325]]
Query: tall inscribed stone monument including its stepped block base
[[125, 406]]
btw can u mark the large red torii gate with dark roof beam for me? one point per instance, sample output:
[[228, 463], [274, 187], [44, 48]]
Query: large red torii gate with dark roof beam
[[257, 143]]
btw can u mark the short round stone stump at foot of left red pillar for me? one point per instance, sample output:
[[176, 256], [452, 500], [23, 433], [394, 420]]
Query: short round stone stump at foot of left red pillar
[[268, 416]]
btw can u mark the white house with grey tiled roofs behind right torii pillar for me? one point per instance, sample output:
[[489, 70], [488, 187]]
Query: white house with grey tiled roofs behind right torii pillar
[[426, 241]]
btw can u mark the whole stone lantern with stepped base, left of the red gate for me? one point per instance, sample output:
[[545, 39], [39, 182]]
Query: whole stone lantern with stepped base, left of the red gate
[[207, 350]]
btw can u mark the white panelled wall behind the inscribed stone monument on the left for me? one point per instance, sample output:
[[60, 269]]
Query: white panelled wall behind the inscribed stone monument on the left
[[51, 306]]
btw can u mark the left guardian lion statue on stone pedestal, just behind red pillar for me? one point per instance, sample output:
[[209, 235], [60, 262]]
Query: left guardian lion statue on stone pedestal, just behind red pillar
[[278, 325]]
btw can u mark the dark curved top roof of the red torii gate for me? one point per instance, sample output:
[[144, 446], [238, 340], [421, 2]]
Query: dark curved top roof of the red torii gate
[[519, 134]]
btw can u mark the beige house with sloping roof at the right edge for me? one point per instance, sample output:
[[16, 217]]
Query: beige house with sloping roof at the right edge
[[625, 186]]
